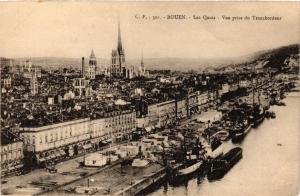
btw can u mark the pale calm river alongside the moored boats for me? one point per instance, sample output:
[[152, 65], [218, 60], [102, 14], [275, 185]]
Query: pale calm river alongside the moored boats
[[270, 163]]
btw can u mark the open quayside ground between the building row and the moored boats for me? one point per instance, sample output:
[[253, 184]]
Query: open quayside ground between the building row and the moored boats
[[108, 180]]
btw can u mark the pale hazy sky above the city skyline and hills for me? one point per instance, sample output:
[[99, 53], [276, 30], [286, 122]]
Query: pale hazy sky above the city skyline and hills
[[73, 29]]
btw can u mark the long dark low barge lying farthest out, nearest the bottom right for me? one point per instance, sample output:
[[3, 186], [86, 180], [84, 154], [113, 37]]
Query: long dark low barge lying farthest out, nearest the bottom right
[[219, 167]]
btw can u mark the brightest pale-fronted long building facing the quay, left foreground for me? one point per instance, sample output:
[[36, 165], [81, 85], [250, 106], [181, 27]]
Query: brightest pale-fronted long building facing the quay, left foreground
[[51, 142]]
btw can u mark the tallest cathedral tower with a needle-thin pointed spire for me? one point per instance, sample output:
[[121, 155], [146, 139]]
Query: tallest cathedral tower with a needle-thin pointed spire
[[118, 65]]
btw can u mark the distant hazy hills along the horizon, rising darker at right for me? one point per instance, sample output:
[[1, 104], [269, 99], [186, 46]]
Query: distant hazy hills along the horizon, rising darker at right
[[270, 58]]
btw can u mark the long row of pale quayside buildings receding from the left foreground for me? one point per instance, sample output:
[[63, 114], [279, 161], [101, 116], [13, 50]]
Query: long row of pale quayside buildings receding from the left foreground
[[70, 138]]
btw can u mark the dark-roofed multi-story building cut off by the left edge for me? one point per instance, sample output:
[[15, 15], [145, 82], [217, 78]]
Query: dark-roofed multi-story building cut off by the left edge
[[11, 153]]
